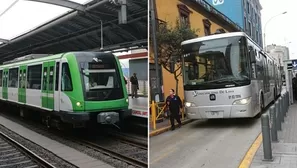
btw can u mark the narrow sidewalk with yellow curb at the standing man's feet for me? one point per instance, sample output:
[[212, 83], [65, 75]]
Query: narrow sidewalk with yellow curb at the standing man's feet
[[165, 126]]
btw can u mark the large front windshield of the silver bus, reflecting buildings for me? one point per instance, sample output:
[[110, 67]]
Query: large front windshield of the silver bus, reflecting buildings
[[216, 63]]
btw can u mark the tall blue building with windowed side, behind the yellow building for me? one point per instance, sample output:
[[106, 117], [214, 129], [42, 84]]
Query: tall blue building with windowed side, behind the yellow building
[[245, 13]]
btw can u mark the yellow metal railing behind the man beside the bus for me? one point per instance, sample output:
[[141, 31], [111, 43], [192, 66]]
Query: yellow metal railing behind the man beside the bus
[[158, 110]]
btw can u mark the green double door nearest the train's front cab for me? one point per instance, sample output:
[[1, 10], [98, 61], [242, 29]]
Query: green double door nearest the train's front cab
[[48, 85]]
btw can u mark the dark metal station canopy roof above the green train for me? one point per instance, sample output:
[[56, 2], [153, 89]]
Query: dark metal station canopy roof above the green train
[[79, 29]]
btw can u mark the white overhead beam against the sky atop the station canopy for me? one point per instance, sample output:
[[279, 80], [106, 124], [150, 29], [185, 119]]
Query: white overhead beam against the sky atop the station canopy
[[63, 3]]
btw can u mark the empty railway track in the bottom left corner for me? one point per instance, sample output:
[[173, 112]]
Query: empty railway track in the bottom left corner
[[14, 154]]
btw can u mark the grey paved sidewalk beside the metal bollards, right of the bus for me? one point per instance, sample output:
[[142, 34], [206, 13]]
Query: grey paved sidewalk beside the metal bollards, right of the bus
[[285, 151]]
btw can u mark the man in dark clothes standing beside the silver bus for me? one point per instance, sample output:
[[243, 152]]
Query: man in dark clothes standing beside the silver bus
[[174, 103]]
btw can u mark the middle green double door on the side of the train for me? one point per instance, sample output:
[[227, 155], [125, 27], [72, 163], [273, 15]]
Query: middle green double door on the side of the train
[[22, 84]]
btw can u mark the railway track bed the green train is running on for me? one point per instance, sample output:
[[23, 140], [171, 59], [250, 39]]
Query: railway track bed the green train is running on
[[118, 147]]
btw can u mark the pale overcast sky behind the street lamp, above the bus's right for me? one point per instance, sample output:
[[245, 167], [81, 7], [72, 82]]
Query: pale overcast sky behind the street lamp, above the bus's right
[[282, 29]]
